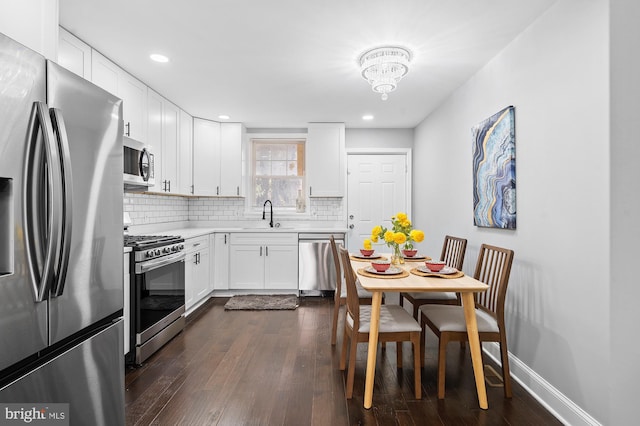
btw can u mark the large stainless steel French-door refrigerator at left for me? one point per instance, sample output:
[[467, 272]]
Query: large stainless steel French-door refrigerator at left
[[61, 259]]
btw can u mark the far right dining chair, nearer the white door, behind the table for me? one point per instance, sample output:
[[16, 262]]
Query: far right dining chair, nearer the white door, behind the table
[[453, 250]]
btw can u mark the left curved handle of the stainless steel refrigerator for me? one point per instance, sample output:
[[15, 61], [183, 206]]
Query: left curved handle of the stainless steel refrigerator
[[42, 209]]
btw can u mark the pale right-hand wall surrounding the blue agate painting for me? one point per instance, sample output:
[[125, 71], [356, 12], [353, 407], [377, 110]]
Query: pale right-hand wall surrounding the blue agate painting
[[556, 75]]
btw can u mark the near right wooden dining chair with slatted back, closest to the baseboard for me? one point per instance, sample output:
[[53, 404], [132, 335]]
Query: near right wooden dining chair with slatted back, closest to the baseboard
[[448, 321]]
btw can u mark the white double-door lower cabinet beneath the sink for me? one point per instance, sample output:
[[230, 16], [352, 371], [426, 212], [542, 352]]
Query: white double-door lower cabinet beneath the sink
[[263, 261]]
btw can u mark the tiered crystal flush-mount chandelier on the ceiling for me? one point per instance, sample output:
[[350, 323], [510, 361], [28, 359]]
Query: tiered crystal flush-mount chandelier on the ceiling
[[383, 67]]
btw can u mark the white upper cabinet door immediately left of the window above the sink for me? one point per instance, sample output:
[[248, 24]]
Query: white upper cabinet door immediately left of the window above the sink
[[231, 136]]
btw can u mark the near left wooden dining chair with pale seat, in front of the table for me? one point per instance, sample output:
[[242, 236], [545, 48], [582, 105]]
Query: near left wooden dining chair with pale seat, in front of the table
[[396, 325]]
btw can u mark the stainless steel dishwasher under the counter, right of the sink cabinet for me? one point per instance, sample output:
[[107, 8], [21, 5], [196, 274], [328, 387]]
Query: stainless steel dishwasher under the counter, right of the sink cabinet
[[316, 271]]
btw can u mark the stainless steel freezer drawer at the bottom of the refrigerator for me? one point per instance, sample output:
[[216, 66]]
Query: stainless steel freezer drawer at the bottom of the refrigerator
[[89, 377]]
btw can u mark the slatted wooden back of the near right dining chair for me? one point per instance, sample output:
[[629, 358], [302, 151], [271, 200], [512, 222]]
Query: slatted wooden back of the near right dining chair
[[493, 268]]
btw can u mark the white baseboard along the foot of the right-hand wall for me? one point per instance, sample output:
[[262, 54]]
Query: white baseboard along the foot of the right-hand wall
[[551, 398]]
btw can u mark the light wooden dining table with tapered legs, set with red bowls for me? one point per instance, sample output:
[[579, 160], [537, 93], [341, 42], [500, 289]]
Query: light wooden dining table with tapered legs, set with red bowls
[[464, 285]]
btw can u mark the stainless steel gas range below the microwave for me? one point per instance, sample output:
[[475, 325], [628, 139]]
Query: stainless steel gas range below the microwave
[[157, 293]]
